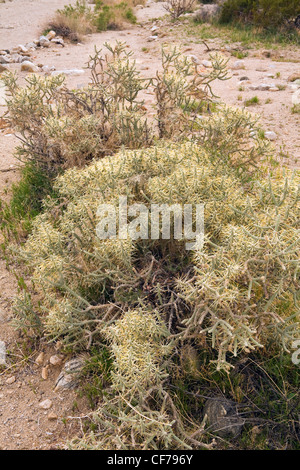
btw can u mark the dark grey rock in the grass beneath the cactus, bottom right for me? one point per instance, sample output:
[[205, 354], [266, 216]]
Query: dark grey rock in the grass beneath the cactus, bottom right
[[222, 417]]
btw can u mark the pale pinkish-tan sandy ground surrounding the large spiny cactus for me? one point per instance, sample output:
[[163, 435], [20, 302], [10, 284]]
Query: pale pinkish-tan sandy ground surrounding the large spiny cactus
[[23, 424]]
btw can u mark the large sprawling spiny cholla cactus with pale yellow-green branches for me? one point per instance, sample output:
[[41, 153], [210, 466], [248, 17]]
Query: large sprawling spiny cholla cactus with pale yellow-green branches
[[169, 326]]
